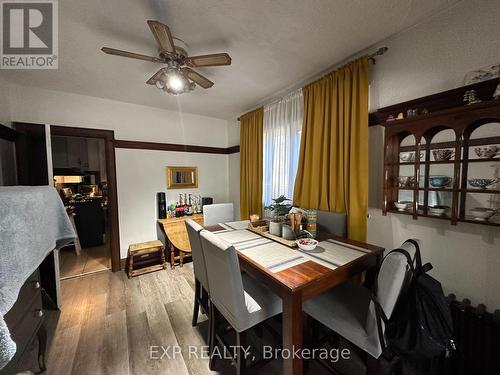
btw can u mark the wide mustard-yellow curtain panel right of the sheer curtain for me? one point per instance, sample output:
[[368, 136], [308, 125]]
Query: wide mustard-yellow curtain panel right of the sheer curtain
[[333, 164]]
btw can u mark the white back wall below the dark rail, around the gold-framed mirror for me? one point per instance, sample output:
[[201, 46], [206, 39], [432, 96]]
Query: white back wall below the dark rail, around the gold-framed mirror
[[142, 173]]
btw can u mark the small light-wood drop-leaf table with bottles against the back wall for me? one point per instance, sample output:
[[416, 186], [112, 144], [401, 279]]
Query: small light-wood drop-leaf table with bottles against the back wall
[[176, 237]]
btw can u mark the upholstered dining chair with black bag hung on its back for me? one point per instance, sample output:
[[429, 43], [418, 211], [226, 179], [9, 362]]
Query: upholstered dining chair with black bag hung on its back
[[349, 311]]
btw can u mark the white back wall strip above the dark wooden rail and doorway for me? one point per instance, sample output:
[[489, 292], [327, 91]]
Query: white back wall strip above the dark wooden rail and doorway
[[129, 121]]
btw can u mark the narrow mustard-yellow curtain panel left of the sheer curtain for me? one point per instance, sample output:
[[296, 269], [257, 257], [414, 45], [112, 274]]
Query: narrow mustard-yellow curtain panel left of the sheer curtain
[[251, 138]]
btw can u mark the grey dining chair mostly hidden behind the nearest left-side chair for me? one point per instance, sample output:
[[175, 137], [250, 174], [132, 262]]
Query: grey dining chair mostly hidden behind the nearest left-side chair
[[202, 291]]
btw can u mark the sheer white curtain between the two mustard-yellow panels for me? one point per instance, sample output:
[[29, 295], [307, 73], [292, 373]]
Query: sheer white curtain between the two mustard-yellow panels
[[282, 130]]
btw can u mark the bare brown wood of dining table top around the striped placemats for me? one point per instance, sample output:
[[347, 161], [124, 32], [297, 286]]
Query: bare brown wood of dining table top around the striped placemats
[[310, 276]]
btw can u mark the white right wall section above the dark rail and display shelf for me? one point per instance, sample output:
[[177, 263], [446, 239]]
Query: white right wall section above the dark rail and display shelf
[[436, 54]]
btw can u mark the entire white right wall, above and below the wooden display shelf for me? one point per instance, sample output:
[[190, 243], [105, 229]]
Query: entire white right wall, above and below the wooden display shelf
[[432, 57]]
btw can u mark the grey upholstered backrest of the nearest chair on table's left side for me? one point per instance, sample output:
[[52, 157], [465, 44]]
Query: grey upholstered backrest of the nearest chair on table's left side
[[224, 277]]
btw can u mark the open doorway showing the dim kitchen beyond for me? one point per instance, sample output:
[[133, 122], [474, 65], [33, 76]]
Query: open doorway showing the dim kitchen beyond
[[83, 162]]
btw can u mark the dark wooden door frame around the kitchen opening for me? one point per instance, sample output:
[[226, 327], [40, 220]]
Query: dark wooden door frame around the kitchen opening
[[109, 139]]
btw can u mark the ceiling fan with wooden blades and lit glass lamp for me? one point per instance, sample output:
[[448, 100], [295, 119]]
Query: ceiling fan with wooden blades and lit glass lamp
[[177, 77]]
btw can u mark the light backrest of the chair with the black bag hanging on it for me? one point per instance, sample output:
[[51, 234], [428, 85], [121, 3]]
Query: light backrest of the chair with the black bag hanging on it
[[393, 275]]
